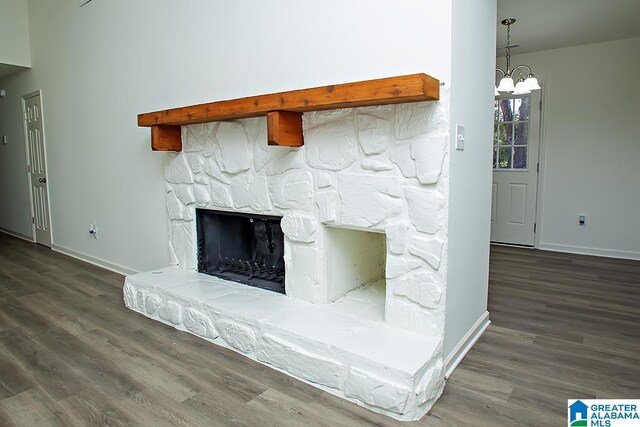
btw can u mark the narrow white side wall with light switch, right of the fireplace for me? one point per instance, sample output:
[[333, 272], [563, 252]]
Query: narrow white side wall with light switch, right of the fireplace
[[473, 64]]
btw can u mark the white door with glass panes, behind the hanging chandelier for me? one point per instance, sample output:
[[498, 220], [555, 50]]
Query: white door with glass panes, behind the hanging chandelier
[[515, 169]]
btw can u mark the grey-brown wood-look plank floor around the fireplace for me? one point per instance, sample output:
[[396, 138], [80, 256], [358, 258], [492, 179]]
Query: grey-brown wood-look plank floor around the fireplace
[[564, 326]]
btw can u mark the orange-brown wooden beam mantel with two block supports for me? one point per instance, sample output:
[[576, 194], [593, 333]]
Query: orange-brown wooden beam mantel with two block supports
[[284, 109]]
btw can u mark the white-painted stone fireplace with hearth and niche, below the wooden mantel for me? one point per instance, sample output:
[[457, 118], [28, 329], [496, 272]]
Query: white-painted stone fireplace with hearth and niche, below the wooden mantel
[[364, 207]]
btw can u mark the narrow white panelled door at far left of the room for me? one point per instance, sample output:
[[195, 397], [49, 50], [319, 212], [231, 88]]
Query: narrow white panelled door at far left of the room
[[36, 167]]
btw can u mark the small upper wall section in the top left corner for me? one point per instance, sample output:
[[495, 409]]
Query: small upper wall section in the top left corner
[[14, 33]]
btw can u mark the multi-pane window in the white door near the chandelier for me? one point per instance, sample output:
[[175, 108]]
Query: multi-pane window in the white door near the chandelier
[[511, 132]]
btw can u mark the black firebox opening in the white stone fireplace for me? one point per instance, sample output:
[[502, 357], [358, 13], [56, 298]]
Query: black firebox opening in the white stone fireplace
[[244, 248]]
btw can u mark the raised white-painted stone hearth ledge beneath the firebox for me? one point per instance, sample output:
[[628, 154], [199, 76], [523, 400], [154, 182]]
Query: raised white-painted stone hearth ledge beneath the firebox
[[390, 370]]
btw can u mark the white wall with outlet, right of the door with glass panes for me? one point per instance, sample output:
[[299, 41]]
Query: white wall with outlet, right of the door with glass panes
[[591, 147]]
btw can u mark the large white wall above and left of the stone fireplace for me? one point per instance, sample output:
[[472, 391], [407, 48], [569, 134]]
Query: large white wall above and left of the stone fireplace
[[101, 64]]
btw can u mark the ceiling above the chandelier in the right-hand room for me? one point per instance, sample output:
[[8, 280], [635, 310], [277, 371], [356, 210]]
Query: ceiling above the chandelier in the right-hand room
[[550, 24]]
